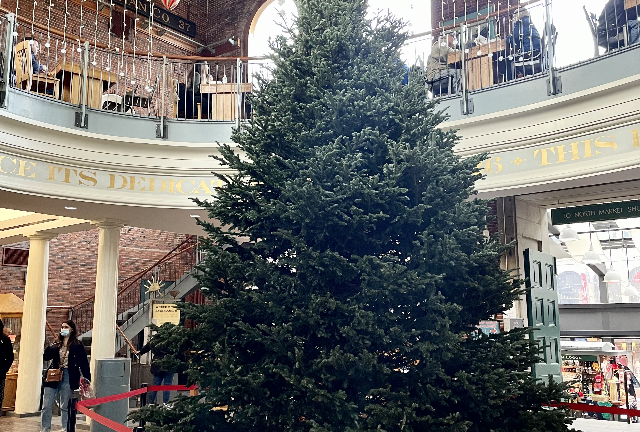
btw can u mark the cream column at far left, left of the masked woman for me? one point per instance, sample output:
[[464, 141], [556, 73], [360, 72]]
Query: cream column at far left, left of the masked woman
[[33, 325]]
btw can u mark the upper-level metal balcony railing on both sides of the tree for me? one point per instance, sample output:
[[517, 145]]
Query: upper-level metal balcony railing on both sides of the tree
[[484, 45]]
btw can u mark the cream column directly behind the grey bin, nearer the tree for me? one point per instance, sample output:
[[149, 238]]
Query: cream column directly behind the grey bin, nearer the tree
[[103, 334]]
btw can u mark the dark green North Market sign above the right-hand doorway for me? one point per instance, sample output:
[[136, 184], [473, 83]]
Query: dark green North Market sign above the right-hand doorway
[[596, 212]]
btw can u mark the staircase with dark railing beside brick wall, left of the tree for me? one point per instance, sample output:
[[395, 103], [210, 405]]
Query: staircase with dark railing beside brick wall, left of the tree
[[174, 274]]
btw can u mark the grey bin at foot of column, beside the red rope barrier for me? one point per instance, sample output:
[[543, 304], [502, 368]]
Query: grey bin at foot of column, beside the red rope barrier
[[111, 377]]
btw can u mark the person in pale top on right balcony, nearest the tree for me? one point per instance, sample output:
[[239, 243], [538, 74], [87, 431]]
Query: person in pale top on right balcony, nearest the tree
[[442, 77]]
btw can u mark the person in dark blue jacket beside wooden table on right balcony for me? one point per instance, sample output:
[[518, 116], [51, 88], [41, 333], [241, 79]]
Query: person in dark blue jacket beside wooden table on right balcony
[[525, 44]]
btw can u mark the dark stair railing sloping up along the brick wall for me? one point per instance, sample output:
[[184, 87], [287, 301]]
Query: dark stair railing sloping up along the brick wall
[[169, 268]]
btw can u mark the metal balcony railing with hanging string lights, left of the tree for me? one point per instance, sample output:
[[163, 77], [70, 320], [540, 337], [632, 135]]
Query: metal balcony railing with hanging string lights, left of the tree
[[138, 83]]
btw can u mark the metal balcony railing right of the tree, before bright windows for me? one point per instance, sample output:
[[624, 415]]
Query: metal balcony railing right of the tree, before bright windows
[[511, 40]]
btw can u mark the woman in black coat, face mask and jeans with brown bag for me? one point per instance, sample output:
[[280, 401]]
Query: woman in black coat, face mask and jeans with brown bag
[[67, 353]]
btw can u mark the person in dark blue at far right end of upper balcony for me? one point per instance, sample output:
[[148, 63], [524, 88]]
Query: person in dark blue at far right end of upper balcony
[[612, 22]]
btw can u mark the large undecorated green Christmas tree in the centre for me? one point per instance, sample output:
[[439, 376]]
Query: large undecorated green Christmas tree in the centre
[[354, 302]]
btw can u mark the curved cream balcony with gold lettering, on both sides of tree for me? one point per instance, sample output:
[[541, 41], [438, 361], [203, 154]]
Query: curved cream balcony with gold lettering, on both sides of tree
[[135, 129]]
